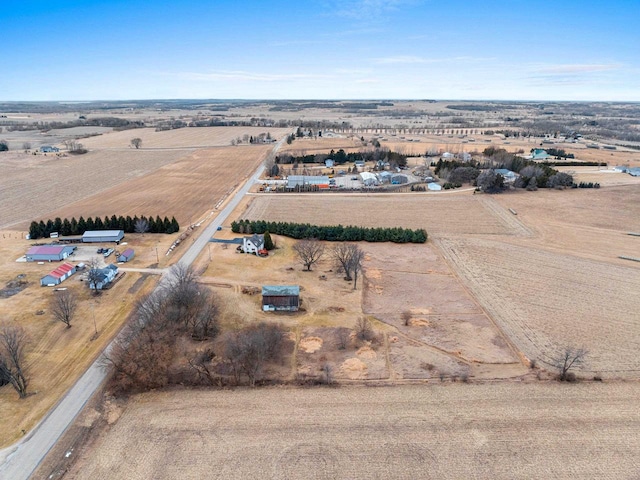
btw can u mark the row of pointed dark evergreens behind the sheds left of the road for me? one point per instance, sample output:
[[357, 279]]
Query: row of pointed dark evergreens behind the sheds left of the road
[[128, 224]]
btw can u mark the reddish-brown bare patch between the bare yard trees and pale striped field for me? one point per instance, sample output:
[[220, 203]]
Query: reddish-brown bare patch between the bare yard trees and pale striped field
[[416, 280]]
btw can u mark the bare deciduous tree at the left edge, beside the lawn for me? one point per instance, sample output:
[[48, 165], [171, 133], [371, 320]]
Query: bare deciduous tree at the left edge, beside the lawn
[[13, 340]]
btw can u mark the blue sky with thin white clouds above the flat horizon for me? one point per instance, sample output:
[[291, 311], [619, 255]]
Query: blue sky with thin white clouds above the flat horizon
[[324, 49]]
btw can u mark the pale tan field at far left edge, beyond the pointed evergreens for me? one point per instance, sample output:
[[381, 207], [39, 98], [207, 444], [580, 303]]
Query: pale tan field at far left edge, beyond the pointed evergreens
[[36, 184]]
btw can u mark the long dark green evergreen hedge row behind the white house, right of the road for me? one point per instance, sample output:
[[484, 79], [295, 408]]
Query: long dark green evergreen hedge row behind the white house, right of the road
[[336, 233]]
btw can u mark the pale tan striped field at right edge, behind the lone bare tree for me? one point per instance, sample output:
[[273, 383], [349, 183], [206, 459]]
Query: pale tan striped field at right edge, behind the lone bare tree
[[545, 301]]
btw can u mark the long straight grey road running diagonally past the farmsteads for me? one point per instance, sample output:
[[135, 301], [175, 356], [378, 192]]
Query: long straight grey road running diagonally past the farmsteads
[[19, 461]]
